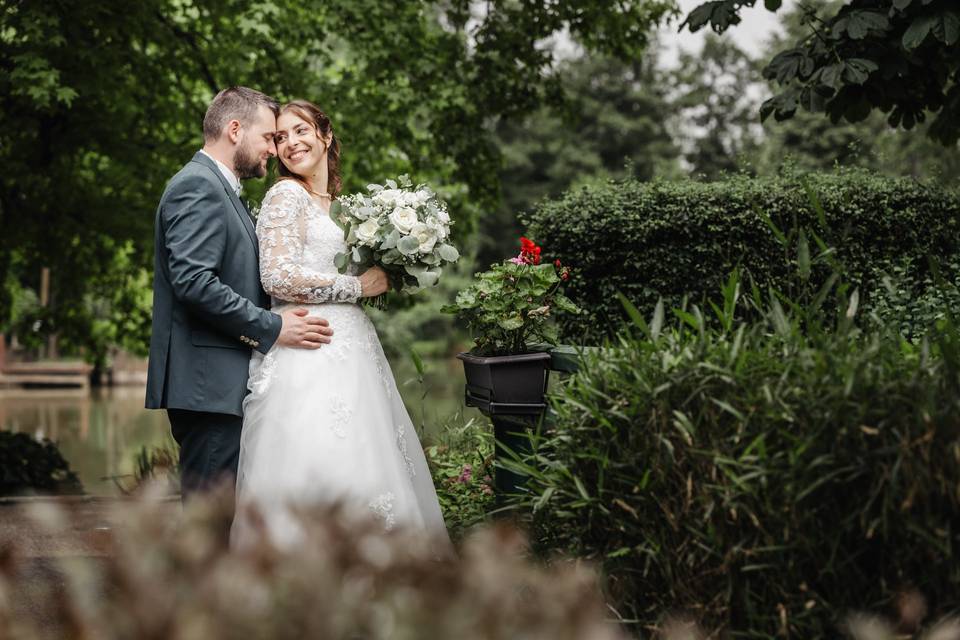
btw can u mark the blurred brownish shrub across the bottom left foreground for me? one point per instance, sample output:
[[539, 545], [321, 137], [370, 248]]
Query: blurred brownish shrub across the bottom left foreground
[[347, 580]]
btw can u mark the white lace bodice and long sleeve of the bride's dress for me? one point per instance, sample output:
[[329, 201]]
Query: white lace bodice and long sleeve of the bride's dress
[[298, 243]]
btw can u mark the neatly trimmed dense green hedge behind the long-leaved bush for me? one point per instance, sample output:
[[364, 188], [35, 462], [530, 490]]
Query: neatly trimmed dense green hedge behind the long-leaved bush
[[670, 239]]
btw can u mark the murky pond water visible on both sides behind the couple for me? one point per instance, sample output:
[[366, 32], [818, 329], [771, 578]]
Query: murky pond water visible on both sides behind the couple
[[100, 432]]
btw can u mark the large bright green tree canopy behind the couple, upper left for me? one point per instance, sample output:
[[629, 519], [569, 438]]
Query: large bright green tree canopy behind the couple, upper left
[[108, 104]]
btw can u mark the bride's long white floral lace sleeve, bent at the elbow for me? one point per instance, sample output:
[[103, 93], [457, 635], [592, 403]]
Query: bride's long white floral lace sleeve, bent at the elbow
[[281, 230]]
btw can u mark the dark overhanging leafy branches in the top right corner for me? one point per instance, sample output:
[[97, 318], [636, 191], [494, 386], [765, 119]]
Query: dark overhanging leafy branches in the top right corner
[[901, 57]]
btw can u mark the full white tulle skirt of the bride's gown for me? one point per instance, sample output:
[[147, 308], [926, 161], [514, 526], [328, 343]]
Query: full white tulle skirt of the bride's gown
[[329, 426]]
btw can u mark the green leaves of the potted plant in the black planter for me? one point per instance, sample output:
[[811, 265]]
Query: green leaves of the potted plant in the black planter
[[510, 306]]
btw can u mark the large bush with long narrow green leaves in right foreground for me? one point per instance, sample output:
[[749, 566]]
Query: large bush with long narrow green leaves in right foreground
[[761, 479]]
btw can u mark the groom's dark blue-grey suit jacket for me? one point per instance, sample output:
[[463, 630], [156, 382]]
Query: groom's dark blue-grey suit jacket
[[209, 308]]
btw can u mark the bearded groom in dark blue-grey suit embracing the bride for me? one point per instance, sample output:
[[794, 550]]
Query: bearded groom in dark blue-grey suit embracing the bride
[[209, 309]]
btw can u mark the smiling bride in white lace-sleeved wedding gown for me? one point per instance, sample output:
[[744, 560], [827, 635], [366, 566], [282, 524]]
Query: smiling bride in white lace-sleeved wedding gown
[[325, 425]]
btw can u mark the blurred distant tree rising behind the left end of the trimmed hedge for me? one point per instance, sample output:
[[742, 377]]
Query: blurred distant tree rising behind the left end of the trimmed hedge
[[609, 122]]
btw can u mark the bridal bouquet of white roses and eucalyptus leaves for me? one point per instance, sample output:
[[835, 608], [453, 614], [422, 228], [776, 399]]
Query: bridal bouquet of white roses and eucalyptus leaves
[[403, 229]]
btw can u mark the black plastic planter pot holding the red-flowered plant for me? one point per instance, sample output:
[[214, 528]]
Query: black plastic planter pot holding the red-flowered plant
[[506, 385]]
